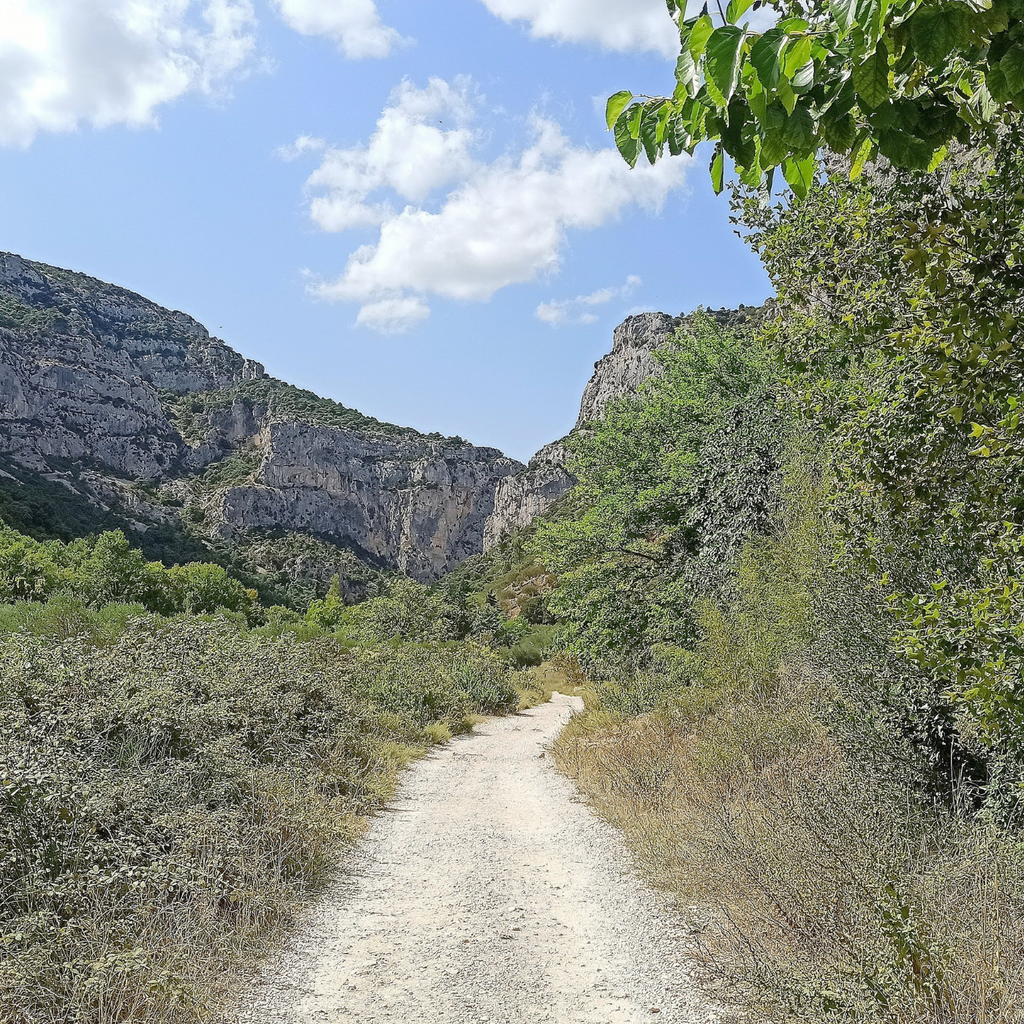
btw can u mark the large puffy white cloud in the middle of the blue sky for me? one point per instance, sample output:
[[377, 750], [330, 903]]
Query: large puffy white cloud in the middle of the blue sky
[[497, 224]]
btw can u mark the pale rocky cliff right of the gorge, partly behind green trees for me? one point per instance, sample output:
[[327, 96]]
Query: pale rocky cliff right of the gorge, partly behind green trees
[[521, 499]]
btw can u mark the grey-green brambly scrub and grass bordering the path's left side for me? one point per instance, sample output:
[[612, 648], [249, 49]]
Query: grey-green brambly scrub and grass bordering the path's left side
[[172, 792]]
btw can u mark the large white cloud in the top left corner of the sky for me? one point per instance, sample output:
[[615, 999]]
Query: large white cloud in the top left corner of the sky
[[68, 63]]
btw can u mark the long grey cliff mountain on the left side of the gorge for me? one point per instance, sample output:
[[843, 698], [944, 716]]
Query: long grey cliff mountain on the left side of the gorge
[[103, 391]]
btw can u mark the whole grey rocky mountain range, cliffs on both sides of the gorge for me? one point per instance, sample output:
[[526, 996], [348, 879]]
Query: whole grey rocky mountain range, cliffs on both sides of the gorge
[[115, 412]]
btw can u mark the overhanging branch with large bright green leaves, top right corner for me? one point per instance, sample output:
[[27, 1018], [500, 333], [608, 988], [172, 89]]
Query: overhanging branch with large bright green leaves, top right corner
[[901, 78]]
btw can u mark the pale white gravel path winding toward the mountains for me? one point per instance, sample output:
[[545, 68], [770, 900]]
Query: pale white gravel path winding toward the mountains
[[487, 893]]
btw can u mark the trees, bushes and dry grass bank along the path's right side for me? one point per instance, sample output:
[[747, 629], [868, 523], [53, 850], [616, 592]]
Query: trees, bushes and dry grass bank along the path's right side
[[791, 576]]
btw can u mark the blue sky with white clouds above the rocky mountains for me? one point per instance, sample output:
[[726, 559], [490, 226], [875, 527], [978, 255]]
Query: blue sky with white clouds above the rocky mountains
[[410, 206]]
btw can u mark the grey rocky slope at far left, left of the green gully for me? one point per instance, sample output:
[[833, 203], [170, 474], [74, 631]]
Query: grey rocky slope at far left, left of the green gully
[[82, 366]]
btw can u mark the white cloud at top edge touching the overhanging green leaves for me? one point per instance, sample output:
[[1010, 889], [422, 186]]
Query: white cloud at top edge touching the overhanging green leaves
[[613, 25]]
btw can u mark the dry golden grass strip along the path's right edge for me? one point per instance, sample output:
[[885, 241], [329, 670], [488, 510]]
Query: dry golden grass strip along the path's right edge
[[825, 891]]
